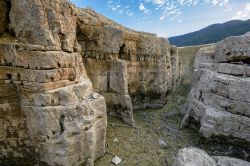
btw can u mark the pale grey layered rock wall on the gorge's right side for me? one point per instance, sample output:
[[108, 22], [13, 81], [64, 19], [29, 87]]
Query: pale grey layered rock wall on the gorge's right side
[[220, 96]]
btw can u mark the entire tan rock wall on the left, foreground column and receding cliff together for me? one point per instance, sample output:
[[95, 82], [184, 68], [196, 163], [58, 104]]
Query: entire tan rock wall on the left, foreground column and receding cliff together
[[49, 73]]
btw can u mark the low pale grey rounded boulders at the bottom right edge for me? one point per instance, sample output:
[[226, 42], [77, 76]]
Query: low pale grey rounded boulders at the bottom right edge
[[194, 157]]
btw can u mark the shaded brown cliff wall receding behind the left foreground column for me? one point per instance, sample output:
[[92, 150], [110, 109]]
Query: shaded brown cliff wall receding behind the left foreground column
[[131, 69]]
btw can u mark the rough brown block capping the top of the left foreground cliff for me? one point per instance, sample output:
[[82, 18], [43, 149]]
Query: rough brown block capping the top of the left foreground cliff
[[54, 24]]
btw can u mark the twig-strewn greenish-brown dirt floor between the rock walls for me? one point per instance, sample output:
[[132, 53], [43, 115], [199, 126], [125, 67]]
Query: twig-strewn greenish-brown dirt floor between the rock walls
[[139, 146]]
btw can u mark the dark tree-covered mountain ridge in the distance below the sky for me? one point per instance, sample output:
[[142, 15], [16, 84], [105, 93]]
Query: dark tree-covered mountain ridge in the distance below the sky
[[212, 33]]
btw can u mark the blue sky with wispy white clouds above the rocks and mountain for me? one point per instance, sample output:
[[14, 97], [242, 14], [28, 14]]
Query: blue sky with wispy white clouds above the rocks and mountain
[[169, 18]]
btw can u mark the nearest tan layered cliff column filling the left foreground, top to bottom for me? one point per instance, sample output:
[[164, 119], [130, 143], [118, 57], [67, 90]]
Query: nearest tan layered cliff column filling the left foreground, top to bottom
[[49, 113]]
